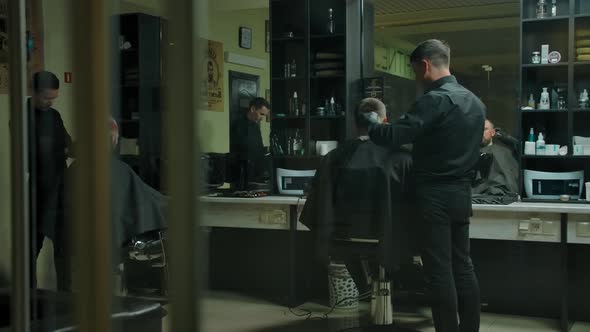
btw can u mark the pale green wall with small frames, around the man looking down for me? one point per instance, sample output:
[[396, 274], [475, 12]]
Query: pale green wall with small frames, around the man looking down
[[214, 126]]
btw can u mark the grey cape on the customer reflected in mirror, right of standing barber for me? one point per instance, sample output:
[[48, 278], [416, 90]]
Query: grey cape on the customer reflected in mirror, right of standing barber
[[503, 177]]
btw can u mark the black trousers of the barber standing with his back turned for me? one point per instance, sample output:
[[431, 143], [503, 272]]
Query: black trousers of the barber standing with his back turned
[[453, 287]]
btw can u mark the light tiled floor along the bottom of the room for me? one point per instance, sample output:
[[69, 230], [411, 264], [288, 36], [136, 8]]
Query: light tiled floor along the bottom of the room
[[224, 312]]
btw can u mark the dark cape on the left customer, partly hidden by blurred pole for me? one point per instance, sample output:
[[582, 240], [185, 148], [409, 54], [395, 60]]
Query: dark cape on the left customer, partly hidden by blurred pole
[[136, 208]]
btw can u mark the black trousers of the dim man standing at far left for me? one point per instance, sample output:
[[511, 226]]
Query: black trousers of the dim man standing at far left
[[62, 261]]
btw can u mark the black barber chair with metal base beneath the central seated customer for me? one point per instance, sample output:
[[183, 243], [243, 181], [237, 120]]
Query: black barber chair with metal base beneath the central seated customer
[[362, 199]]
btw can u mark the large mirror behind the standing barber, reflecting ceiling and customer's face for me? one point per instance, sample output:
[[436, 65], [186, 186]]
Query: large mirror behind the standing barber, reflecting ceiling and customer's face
[[485, 59]]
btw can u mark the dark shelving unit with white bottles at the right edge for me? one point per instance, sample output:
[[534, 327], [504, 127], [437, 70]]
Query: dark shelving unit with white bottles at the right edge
[[570, 74]]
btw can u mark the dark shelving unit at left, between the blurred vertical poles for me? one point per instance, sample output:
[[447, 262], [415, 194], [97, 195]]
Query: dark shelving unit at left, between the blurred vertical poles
[[138, 90]]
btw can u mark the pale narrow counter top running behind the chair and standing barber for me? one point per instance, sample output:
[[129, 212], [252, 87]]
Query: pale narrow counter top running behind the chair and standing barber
[[575, 208]]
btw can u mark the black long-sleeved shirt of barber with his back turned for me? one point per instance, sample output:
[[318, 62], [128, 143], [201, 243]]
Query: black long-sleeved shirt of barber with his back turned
[[445, 126]]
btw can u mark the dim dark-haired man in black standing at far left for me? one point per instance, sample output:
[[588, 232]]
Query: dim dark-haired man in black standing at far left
[[49, 145]]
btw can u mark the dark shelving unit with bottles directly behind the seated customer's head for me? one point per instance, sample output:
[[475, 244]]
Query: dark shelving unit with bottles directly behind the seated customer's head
[[317, 79]]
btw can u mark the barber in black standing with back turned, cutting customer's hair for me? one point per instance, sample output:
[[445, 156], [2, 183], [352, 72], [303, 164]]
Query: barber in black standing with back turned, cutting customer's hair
[[445, 125]]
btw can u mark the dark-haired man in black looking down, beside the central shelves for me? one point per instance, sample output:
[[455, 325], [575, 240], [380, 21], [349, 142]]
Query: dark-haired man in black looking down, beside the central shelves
[[246, 139]]
